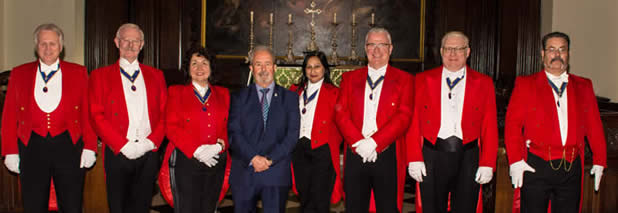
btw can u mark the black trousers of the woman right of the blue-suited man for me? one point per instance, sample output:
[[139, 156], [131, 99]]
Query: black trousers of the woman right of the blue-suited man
[[314, 175]]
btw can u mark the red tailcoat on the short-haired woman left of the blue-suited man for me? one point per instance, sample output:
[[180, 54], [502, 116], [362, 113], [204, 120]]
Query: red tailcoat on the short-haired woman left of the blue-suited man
[[189, 127]]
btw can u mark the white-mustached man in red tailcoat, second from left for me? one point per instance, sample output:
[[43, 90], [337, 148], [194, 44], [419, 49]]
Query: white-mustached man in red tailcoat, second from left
[[127, 107]]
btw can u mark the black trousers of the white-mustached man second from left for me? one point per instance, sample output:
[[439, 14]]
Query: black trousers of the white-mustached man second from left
[[130, 183]]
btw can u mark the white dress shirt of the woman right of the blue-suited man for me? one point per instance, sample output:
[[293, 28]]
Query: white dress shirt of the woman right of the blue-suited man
[[306, 119]]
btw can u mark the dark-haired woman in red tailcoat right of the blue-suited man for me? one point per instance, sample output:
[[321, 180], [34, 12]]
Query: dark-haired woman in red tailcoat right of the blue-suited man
[[315, 160]]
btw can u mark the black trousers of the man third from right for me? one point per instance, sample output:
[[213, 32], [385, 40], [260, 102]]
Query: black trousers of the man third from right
[[360, 178]]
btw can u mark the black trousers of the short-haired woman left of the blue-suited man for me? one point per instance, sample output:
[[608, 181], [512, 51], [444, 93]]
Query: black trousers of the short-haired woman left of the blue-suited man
[[196, 186]]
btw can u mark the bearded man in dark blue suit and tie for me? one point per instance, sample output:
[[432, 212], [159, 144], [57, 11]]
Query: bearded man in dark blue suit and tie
[[263, 128]]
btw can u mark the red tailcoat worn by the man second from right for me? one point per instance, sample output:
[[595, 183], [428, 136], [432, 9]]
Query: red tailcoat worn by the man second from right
[[478, 121]]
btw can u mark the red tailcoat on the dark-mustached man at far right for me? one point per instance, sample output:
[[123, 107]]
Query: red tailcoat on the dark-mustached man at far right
[[532, 116]]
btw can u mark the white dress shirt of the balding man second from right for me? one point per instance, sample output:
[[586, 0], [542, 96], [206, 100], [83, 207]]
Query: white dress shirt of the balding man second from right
[[451, 108]]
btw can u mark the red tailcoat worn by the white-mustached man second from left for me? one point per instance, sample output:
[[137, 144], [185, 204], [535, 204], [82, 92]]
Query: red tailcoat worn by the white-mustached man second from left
[[108, 109]]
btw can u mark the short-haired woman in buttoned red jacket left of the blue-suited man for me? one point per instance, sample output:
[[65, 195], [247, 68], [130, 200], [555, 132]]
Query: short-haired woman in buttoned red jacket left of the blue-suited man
[[196, 122]]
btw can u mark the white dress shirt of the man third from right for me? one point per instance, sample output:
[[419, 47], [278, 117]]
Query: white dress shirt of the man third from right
[[370, 124]]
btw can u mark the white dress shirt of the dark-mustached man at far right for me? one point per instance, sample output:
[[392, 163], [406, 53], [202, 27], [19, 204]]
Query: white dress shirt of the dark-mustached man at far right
[[562, 110]]
